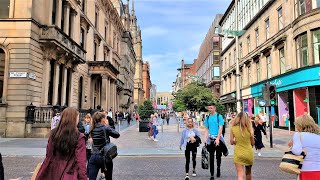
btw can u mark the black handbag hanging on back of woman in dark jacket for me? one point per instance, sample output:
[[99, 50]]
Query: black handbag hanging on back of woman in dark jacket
[[109, 151]]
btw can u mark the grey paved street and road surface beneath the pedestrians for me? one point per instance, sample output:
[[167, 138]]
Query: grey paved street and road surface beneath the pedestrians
[[140, 158]]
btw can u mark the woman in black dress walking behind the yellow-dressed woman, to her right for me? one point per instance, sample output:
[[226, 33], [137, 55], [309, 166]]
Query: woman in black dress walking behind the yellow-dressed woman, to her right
[[257, 134]]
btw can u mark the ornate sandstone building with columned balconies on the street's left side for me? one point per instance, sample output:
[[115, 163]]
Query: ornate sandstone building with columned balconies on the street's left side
[[60, 53]]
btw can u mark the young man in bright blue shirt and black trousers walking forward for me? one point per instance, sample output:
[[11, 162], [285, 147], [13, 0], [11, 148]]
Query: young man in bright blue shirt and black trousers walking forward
[[214, 124]]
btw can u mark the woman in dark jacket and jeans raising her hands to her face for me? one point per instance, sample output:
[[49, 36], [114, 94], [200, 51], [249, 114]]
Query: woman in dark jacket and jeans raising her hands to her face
[[100, 133]]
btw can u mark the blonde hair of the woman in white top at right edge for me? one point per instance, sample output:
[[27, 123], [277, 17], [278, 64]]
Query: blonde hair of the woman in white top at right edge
[[305, 123]]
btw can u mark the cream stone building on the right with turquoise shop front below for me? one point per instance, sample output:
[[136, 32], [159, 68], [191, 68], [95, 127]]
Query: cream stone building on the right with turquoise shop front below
[[278, 43]]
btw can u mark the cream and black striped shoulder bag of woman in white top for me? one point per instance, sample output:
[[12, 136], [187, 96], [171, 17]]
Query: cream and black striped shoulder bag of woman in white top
[[292, 163]]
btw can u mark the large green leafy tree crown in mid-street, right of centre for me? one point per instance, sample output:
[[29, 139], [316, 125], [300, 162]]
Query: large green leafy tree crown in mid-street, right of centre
[[196, 97]]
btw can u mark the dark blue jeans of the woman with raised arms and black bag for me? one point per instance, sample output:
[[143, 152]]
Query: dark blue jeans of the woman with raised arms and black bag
[[95, 164]]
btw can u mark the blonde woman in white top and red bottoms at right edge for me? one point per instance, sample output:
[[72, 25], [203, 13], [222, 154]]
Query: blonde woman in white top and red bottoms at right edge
[[307, 137]]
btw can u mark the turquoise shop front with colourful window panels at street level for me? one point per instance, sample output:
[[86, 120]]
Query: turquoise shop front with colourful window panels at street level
[[294, 91]]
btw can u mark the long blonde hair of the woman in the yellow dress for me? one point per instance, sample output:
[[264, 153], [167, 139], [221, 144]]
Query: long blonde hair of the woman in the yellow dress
[[243, 121]]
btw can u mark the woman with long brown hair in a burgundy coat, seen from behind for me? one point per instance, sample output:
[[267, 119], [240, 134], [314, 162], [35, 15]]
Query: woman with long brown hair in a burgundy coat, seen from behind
[[66, 150]]
